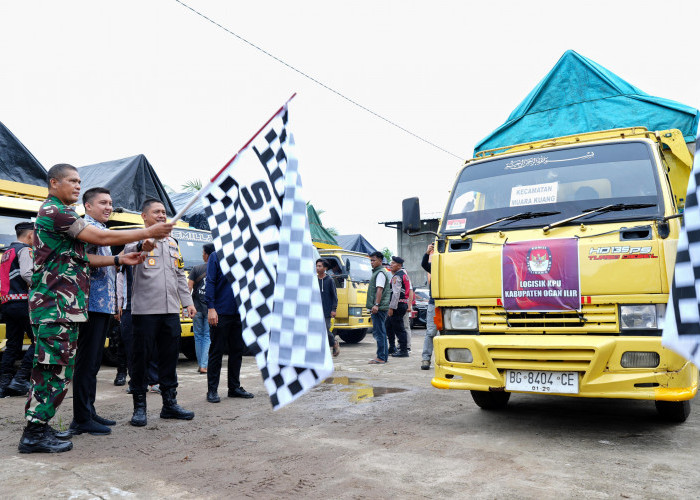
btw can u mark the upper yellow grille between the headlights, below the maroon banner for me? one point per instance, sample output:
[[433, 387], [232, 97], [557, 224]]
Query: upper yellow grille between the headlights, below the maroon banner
[[595, 319]]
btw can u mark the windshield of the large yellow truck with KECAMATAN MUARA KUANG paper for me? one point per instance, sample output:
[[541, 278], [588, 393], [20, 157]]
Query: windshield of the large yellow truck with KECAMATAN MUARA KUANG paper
[[566, 180]]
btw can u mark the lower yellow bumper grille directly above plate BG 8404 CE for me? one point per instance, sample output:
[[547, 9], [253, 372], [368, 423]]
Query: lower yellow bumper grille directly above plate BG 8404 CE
[[541, 359]]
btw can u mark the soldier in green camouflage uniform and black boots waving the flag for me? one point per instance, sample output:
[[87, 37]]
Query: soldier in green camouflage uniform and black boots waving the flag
[[57, 300]]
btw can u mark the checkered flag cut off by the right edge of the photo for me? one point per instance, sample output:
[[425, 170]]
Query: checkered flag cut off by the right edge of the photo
[[682, 321]]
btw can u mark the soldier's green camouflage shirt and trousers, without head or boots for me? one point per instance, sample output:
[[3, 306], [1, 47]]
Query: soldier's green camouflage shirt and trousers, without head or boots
[[57, 303]]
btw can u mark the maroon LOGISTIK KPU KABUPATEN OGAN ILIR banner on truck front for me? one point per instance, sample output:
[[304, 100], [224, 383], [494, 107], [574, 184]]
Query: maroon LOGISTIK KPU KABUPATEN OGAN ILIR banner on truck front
[[541, 276]]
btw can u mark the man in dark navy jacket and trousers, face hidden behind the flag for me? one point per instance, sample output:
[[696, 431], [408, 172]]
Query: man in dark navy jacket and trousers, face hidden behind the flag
[[225, 328]]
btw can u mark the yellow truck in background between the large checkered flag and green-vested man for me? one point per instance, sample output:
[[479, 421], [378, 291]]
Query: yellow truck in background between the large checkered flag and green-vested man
[[351, 272]]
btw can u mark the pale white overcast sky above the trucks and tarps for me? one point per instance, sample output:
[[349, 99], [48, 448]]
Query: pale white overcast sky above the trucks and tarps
[[90, 81]]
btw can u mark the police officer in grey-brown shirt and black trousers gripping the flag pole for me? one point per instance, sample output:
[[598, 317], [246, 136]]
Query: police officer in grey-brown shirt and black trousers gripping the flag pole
[[159, 287]]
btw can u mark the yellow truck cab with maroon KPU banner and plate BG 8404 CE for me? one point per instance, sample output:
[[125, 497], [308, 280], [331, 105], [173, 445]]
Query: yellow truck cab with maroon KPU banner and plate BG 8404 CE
[[552, 270]]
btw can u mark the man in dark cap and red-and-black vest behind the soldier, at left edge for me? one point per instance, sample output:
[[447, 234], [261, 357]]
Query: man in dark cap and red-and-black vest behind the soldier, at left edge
[[15, 311]]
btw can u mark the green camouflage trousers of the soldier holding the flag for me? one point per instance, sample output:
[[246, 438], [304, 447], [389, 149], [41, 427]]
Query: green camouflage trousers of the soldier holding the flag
[[54, 359]]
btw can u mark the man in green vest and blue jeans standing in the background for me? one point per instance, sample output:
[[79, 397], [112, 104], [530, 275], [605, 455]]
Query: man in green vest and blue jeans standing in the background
[[378, 303]]
